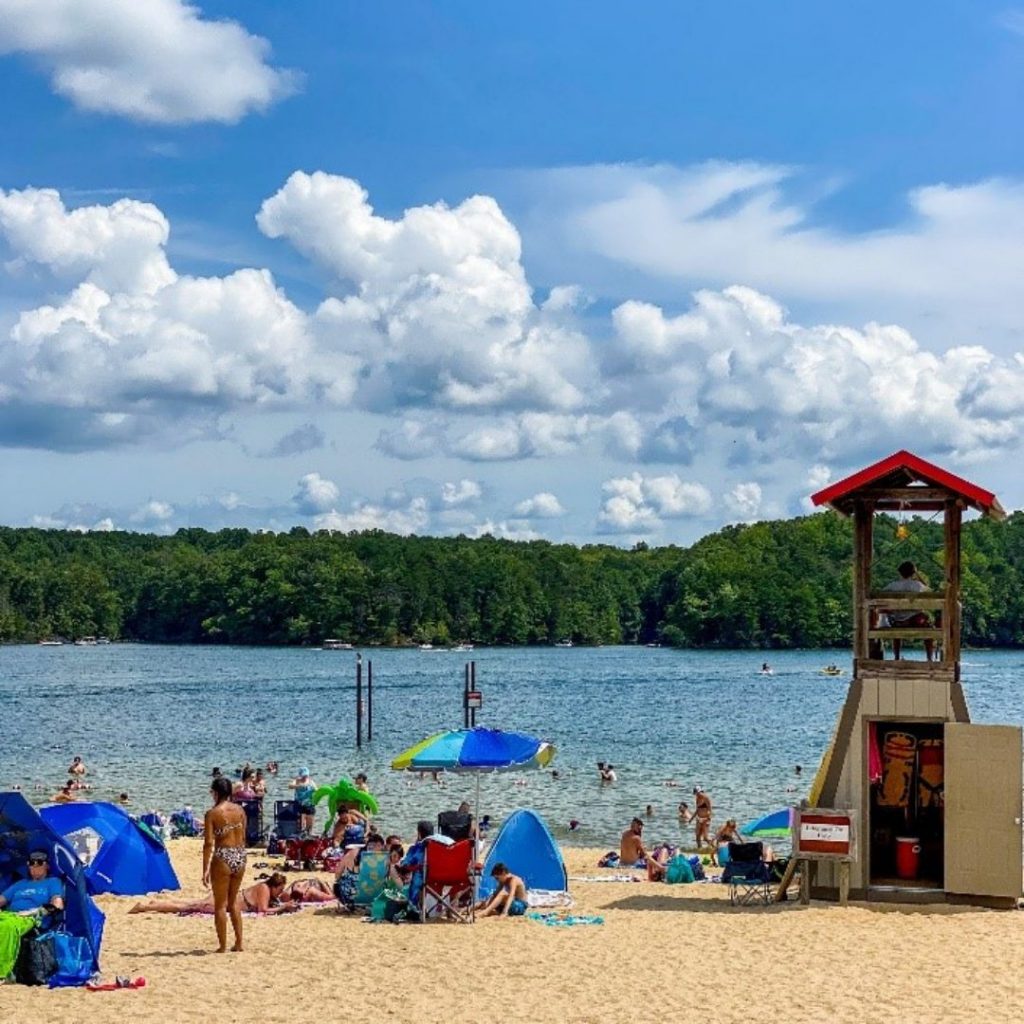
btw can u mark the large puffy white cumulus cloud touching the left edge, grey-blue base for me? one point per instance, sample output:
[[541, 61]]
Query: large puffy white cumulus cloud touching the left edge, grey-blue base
[[135, 350]]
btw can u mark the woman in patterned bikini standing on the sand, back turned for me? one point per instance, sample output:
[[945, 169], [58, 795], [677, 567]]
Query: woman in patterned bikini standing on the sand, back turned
[[225, 861]]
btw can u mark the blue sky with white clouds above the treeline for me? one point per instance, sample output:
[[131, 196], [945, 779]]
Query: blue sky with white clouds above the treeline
[[582, 272]]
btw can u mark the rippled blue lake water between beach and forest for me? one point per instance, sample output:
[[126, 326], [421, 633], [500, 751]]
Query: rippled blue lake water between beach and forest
[[154, 720]]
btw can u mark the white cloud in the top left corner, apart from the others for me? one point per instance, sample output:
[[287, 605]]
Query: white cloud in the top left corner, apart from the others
[[156, 61]]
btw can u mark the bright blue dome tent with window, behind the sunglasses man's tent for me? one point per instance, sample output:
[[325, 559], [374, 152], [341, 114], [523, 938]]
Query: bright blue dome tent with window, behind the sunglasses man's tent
[[120, 856]]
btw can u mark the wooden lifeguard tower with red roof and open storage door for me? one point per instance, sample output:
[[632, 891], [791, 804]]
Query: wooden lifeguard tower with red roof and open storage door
[[936, 801]]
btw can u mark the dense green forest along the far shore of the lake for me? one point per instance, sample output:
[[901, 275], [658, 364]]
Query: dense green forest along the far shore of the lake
[[783, 584]]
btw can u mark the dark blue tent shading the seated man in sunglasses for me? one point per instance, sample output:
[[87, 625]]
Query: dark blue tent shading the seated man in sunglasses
[[22, 831]]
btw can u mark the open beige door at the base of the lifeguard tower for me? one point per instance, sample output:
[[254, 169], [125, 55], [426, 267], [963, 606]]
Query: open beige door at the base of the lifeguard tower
[[984, 810]]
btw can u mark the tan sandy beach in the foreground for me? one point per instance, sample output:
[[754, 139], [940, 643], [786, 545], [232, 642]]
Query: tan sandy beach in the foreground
[[664, 953]]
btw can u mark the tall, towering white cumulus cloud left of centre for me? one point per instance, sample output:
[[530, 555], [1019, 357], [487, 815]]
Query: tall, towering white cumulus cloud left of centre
[[442, 312]]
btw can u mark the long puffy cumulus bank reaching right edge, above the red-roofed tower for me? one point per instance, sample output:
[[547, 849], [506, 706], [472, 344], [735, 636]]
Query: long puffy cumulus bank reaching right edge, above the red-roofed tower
[[737, 367]]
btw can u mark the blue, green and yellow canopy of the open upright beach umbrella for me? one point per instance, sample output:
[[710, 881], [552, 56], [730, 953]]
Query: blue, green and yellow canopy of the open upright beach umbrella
[[476, 751]]
